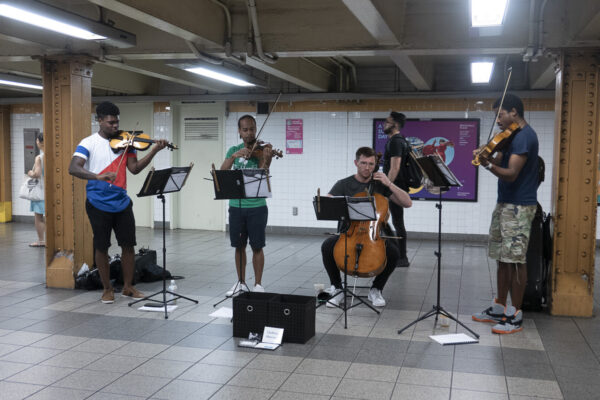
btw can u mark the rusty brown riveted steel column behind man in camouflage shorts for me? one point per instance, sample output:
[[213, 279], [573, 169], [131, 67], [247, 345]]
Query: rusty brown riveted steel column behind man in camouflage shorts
[[575, 182]]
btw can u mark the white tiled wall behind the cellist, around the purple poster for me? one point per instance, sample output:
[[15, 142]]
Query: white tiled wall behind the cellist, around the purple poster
[[330, 140]]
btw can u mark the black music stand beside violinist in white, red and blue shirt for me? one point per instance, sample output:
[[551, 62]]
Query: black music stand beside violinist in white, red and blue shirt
[[157, 183]]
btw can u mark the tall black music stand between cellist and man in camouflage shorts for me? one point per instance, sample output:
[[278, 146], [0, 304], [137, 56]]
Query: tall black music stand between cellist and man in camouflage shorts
[[441, 177]]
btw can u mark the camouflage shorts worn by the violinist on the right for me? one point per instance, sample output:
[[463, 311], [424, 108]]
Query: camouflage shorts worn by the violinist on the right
[[509, 232]]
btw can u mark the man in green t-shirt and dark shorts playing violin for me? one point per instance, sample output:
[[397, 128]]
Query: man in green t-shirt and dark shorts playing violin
[[248, 217]]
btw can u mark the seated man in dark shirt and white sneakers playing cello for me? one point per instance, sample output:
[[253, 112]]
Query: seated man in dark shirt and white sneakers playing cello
[[377, 182]]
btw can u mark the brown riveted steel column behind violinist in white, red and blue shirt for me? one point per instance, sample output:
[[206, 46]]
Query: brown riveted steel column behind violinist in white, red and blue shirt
[[67, 119]]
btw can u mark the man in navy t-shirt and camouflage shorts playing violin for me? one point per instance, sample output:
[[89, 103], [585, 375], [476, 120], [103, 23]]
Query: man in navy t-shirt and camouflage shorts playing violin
[[517, 170]]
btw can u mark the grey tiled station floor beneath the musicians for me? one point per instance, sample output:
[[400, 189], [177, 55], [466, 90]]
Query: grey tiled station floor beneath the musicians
[[64, 344]]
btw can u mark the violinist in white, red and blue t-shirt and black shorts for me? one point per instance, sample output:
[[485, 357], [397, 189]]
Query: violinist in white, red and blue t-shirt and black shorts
[[108, 206]]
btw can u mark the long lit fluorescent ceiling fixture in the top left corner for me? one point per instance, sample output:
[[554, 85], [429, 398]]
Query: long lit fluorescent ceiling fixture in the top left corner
[[63, 22]]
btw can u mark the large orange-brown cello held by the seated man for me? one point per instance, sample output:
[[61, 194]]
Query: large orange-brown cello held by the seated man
[[364, 243]]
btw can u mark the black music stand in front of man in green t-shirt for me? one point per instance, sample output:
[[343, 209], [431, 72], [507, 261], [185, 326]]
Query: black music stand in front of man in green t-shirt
[[240, 184]]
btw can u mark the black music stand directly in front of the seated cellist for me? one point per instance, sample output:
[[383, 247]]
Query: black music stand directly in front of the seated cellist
[[343, 209]]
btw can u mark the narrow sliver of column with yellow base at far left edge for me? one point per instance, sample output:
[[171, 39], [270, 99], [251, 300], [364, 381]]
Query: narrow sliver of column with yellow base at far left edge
[[5, 168]]
